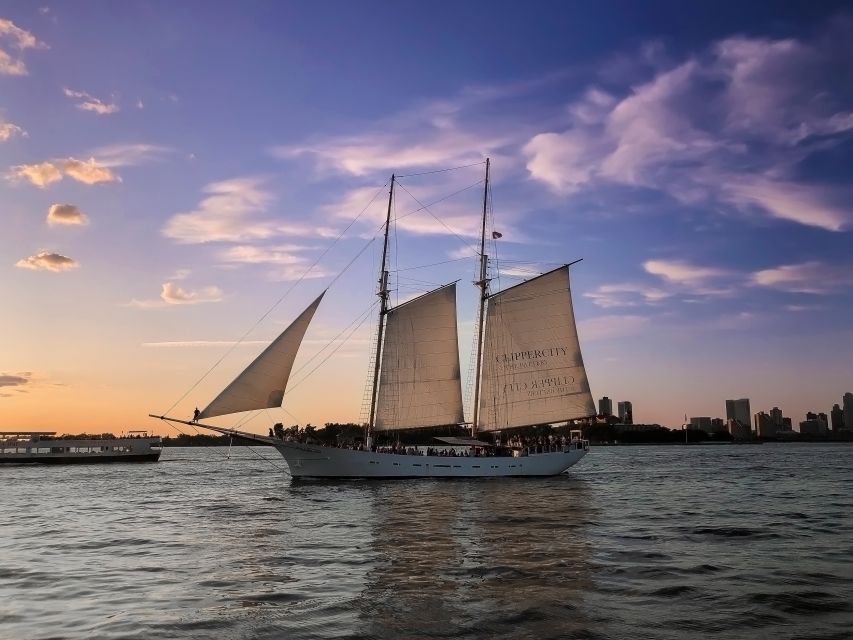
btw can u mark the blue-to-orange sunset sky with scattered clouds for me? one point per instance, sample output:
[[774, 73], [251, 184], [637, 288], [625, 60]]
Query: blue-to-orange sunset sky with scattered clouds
[[169, 171]]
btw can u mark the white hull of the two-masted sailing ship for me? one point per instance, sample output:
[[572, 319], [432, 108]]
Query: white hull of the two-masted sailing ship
[[313, 461]]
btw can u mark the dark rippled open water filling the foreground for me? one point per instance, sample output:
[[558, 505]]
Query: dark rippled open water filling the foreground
[[634, 543]]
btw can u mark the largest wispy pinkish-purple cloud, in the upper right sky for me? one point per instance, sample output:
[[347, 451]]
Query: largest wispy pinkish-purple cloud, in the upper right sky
[[729, 126]]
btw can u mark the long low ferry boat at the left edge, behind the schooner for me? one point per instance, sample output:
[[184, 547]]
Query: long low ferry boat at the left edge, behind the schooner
[[44, 447]]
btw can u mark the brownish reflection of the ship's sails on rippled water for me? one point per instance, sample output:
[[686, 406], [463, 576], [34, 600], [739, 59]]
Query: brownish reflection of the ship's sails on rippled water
[[478, 556]]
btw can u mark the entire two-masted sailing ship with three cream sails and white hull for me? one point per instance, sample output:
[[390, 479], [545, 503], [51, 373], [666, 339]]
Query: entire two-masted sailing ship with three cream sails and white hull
[[529, 372]]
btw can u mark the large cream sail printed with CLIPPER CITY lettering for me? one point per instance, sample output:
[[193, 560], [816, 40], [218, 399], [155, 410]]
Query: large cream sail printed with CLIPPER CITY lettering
[[533, 370]]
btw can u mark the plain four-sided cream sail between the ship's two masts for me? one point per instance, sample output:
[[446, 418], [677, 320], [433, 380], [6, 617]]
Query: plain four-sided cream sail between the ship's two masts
[[419, 384]]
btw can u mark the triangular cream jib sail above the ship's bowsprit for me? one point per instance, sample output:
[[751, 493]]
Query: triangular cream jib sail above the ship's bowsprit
[[261, 385]]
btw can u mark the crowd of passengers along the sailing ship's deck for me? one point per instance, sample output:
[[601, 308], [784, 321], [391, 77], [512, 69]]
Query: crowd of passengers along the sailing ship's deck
[[531, 444]]
